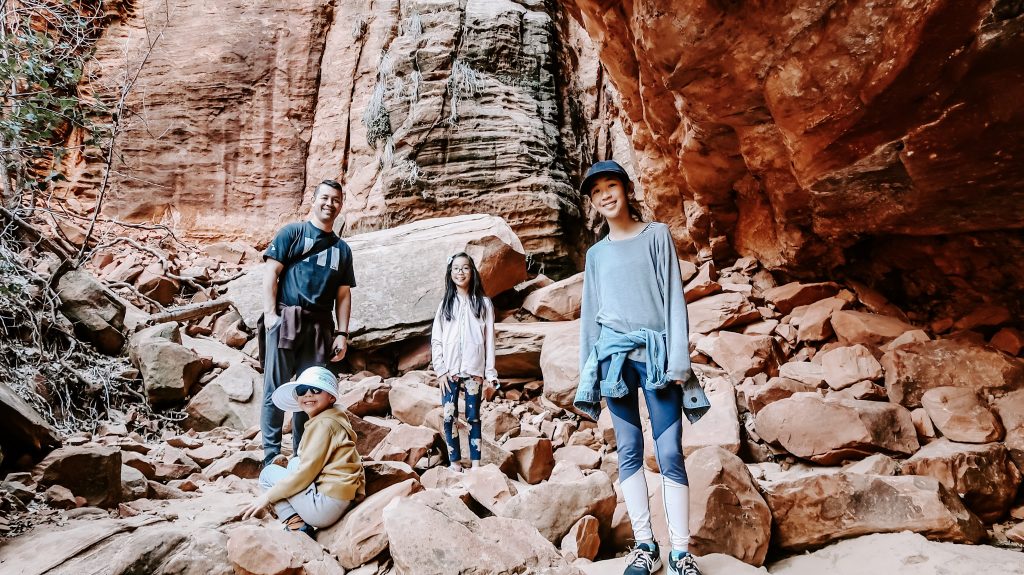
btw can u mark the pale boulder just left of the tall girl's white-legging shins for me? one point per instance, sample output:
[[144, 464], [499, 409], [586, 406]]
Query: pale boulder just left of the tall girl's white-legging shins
[[553, 507]]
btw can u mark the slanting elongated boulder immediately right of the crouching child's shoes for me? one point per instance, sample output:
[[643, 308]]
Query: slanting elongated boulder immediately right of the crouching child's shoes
[[360, 536]]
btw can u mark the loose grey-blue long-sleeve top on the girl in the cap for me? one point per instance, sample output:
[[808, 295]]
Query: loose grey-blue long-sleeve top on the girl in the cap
[[632, 284]]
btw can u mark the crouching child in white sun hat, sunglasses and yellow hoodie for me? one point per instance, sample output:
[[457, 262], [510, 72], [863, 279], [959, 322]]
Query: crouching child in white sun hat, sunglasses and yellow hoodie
[[321, 482]]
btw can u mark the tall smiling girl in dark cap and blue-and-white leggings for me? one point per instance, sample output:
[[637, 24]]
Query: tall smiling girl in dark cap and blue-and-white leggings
[[633, 338]]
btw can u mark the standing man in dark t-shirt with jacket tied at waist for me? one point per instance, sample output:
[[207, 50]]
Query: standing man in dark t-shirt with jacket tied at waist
[[307, 306]]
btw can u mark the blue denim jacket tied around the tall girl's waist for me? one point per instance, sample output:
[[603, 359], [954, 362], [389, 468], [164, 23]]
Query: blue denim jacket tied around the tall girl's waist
[[618, 346]]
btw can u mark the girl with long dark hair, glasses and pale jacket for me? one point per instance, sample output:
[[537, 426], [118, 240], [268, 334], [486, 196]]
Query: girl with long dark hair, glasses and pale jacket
[[462, 345]]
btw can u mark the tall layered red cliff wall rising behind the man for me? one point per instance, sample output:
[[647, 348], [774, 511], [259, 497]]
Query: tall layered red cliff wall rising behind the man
[[420, 109]]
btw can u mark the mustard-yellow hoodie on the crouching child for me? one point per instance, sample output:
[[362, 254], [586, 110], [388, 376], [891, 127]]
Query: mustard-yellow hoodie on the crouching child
[[329, 458]]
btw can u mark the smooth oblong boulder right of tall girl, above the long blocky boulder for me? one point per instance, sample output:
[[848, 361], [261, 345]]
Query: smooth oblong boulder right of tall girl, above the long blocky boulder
[[829, 431]]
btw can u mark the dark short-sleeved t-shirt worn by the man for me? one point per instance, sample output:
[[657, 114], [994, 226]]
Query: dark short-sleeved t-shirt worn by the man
[[311, 282]]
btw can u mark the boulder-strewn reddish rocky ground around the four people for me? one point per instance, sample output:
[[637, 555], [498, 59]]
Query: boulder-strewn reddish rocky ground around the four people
[[837, 427]]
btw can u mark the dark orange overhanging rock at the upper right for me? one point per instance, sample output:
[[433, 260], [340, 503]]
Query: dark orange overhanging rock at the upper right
[[802, 134]]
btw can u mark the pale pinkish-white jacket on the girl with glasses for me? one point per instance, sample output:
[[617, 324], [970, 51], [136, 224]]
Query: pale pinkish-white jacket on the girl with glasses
[[464, 346]]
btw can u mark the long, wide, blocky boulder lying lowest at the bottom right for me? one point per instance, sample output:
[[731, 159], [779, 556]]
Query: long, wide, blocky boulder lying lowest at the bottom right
[[810, 512]]
